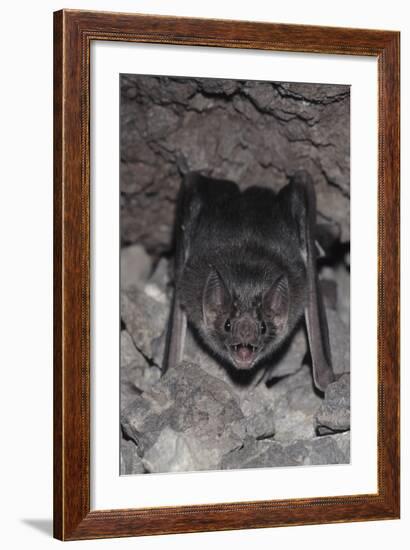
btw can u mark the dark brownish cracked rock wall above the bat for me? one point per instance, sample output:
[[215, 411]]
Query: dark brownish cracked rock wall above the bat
[[255, 133]]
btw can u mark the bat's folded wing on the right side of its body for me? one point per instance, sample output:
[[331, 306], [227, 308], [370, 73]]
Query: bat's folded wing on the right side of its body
[[303, 210]]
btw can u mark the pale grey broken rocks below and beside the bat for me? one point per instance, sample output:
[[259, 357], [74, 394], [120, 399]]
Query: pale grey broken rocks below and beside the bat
[[196, 417]]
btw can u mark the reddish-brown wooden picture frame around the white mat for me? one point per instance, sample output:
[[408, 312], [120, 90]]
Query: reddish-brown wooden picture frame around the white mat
[[73, 33]]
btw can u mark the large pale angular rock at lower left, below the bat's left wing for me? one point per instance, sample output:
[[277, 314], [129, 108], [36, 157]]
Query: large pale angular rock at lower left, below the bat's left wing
[[192, 412]]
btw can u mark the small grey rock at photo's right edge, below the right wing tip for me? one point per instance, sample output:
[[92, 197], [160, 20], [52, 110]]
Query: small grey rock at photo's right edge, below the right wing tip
[[334, 413]]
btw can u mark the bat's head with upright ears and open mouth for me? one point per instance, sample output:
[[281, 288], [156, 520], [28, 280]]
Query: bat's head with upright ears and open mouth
[[245, 326]]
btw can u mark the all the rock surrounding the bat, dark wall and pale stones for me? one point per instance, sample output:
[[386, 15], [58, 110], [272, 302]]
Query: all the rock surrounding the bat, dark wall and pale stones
[[197, 417]]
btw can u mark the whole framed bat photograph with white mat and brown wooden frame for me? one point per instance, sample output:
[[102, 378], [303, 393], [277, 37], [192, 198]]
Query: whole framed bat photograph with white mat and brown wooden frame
[[226, 275]]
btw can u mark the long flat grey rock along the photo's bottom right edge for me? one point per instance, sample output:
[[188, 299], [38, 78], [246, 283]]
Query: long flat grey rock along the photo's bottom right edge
[[331, 449]]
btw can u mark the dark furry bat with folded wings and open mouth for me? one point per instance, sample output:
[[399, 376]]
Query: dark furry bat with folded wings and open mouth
[[245, 272]]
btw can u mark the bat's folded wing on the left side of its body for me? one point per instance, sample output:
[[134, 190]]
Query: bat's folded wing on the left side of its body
[[188, 208]]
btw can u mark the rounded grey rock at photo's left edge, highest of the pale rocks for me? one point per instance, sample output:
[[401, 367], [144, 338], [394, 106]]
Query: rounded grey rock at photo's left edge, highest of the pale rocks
[[135, 266]]
